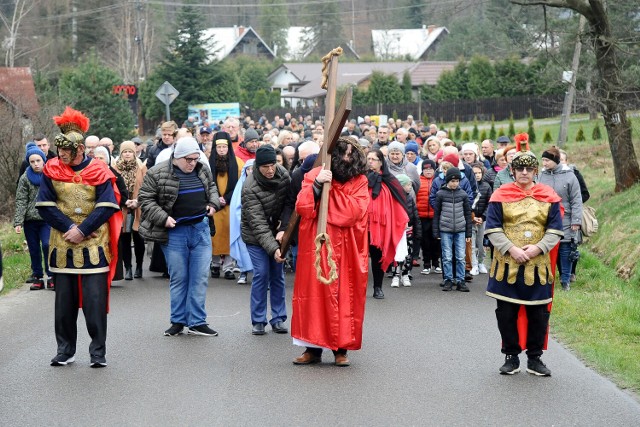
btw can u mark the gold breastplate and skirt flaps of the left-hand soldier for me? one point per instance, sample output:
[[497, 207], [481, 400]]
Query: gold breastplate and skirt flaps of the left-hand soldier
[[77, 201]]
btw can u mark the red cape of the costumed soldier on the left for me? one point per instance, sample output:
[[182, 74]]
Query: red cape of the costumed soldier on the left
[[95, 173]]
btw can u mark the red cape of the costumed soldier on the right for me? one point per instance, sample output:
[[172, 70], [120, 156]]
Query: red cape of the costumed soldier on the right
[[511, 192]]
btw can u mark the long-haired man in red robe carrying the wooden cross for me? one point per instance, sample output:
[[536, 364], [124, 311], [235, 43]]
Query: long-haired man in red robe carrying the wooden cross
[[331, 315]]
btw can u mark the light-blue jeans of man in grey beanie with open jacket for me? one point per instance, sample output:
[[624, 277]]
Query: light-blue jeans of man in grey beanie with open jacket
[[188, 255]]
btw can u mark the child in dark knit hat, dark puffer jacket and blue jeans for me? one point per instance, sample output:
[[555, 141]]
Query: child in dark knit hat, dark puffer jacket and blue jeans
[[452, 226]]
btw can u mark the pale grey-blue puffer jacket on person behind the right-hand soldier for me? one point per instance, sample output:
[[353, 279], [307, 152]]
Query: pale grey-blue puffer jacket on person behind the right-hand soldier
[[564, 182]]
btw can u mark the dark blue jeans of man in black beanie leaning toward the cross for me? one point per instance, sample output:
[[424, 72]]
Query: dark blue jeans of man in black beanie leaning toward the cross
[[268, 275]]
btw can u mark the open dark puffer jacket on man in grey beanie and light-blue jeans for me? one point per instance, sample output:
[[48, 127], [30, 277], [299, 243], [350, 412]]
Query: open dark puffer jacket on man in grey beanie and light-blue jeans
[[158, 194]]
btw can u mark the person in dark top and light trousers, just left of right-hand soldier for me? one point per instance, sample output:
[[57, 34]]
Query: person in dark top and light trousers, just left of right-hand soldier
[[479, 210]]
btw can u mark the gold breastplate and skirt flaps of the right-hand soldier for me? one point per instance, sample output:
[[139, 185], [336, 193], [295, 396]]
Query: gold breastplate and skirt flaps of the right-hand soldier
[[524, 223]]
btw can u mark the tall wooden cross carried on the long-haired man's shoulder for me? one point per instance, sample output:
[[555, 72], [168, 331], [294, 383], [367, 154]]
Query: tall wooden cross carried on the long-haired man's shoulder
[[334, 122]]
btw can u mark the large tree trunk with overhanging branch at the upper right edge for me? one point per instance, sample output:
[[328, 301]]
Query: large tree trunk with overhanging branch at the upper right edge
[[610, 91]]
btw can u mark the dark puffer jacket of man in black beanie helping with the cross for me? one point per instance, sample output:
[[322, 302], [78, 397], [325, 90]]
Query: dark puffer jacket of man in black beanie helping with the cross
[[262, 207]]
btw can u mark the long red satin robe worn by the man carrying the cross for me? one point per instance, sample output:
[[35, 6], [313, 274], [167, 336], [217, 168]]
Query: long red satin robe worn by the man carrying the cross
[[331, 316]]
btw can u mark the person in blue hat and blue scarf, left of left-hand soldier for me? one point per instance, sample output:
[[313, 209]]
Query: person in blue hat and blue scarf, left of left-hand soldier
[[27, 218]]
